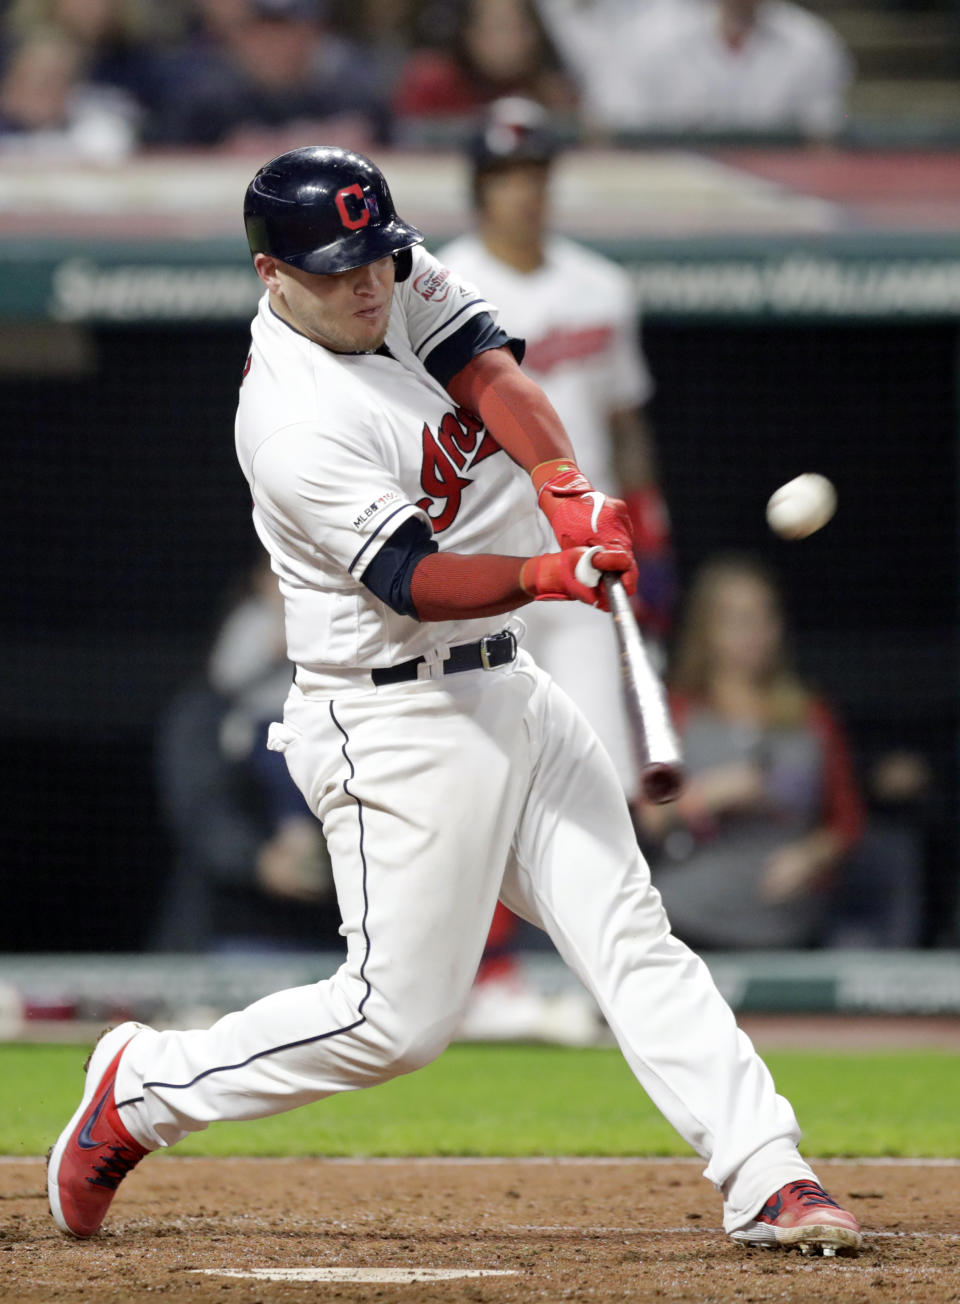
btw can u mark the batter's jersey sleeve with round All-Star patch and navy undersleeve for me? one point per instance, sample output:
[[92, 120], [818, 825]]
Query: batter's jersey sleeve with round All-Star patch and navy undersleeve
[[448, 319]]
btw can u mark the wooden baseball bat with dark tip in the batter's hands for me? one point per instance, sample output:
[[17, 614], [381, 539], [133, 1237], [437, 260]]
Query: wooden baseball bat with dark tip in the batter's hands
[[655, 740]]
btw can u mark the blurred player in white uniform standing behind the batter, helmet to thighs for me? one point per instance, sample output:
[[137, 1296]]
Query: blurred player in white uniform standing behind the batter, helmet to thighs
[[577, 314]]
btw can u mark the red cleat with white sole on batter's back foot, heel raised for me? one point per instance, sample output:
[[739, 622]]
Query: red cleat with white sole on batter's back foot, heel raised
[[95, 1152]]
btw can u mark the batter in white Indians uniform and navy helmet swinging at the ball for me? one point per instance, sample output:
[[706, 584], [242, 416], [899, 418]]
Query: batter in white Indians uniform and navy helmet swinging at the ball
[[445, 767]]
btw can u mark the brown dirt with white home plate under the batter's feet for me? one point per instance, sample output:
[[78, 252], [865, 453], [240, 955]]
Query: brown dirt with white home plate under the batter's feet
[[241, 1232]]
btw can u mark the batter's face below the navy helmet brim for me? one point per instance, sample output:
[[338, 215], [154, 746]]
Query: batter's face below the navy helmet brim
[[348, 312]]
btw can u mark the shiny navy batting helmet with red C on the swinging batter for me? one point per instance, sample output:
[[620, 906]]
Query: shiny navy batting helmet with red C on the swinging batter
[[325, 211]]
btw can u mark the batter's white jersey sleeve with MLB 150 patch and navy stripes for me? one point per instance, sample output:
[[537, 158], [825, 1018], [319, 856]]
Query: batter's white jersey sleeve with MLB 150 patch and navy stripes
[[327, 500]]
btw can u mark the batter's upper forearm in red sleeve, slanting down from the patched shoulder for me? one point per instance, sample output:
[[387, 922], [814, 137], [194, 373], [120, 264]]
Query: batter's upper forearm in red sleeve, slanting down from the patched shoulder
[[515, 409]]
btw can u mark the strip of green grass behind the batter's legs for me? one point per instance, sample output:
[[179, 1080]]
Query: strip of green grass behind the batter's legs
[[525, 1100]]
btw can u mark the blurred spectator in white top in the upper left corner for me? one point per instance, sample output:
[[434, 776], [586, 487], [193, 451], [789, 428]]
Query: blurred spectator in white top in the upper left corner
[[50, 110]]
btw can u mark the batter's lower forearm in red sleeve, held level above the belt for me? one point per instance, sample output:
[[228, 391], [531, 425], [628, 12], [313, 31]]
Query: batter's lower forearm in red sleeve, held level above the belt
[[453, 587]]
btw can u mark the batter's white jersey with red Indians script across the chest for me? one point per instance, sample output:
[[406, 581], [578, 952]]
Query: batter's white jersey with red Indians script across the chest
[[342, 449]]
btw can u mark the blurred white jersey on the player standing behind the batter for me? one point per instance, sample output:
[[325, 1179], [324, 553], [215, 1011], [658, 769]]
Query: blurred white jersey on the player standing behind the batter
[[578, 316]]
